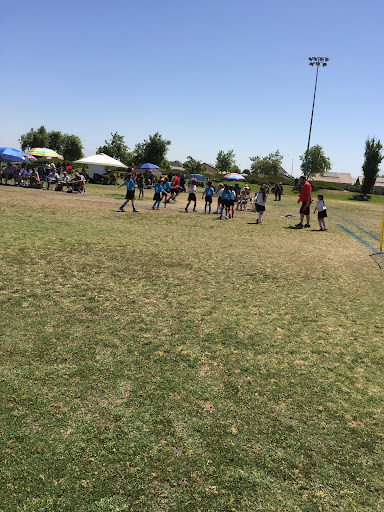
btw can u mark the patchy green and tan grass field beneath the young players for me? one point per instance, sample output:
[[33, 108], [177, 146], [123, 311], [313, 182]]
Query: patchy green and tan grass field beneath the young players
[[170, 361]]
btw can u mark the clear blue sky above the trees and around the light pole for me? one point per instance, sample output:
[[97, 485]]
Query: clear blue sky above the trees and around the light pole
[[208, 75]]
